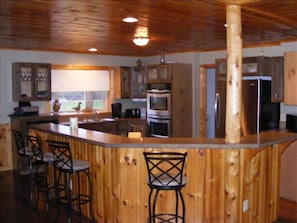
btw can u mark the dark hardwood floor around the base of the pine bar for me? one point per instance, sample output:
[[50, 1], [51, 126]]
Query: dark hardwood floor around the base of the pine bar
[[14, 209]]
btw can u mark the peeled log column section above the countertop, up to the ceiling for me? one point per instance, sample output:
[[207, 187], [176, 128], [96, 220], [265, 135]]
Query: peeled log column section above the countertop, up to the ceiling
[[234, 76]]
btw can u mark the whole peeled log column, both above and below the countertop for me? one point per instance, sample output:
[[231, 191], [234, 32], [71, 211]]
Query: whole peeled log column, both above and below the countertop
[[233, 113]]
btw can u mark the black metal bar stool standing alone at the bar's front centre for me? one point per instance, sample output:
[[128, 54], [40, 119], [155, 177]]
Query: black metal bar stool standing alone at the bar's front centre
[[165, 173]]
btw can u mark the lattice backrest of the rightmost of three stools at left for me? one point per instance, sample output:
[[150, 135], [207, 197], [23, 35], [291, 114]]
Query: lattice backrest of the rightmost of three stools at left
[[62, 155]]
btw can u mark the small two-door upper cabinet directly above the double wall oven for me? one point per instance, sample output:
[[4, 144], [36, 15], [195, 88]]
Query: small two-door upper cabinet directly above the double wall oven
[[159, 73]]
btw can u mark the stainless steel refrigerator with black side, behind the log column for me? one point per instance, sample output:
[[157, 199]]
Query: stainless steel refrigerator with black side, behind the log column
[[258, 113]]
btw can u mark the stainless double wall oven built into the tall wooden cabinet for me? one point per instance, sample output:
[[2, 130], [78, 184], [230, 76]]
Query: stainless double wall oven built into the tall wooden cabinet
[[159, 109]]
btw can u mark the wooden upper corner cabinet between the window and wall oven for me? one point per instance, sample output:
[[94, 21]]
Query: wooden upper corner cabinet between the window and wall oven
[[133, 82]]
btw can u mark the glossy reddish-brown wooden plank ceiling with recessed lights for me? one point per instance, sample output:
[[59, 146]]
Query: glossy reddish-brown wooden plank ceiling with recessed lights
[[172, 25]]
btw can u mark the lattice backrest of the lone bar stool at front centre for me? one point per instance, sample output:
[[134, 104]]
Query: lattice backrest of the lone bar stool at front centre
[[165, 169]]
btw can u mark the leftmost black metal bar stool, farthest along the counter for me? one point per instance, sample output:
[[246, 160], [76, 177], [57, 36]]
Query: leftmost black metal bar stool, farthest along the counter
[[25, 170]]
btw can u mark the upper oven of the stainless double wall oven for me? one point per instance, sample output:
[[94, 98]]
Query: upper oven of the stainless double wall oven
[[158, 103]]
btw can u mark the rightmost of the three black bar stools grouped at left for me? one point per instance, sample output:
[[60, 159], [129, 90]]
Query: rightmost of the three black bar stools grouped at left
[[66, 167]]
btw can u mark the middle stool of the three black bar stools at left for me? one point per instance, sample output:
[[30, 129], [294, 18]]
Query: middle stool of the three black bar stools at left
[[42, 160]]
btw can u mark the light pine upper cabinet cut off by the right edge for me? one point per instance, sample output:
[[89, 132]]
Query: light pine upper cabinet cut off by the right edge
[[290, 78]]
